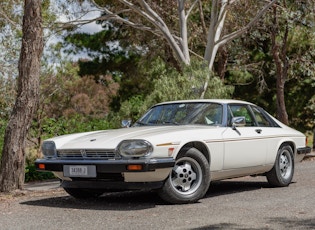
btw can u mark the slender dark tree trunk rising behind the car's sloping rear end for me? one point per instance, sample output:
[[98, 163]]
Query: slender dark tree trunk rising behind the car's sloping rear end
[[282, 65]]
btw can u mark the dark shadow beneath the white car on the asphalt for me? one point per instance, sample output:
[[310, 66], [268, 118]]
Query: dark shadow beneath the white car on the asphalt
[[138, 200]]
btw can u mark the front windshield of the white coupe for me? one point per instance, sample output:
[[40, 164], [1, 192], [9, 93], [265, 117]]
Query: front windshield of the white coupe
[[202, 113]]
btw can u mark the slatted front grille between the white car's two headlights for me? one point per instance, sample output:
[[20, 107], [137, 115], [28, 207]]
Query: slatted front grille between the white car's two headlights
[[87, 154]]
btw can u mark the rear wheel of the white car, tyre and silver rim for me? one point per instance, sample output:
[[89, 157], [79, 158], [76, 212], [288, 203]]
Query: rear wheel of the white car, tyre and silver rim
[[282, 172]]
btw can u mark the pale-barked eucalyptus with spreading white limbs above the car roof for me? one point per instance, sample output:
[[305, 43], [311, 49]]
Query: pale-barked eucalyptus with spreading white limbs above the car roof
[[176, 29]]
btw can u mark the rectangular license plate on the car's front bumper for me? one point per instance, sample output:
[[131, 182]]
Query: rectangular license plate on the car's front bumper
[[79, 170]]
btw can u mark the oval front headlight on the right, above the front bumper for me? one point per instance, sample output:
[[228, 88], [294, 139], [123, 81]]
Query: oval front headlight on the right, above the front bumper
[[134, 148]]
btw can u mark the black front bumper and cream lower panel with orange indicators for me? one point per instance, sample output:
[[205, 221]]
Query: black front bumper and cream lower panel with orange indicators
[[111, 171]]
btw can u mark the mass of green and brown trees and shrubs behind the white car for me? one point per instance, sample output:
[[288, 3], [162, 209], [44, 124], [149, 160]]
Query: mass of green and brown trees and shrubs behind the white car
[[125, 70]]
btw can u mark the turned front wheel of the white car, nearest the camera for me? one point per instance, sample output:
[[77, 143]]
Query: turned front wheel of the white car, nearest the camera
[[189, 179]]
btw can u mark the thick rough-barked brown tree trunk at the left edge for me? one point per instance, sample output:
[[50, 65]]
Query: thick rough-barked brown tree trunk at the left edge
[[13, 154]]
